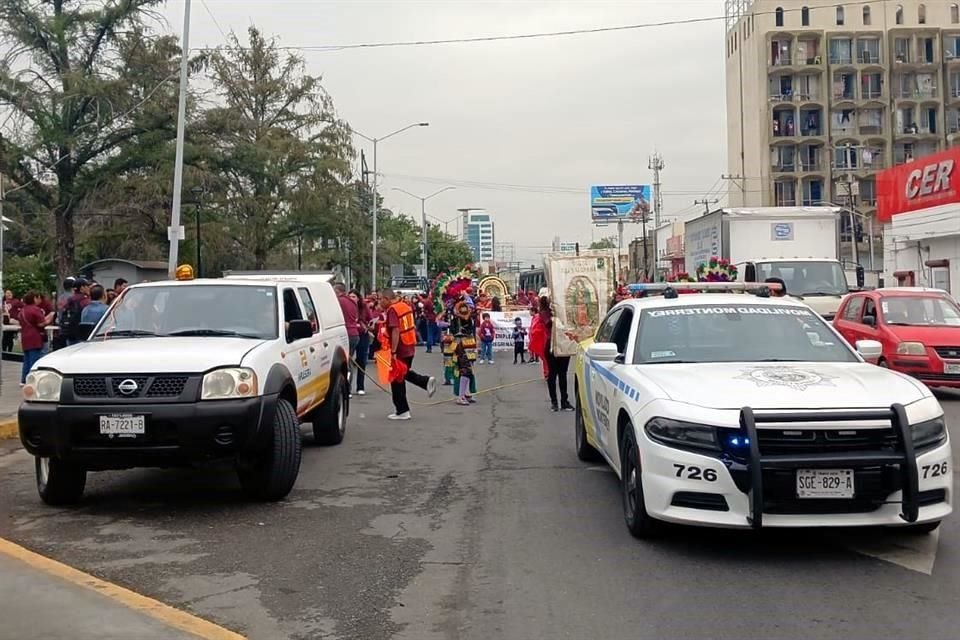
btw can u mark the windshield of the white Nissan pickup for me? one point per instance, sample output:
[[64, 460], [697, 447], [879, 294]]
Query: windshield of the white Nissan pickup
[[201, 310]]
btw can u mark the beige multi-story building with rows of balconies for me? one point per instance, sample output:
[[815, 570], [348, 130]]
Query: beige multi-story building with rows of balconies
[[820, 98]]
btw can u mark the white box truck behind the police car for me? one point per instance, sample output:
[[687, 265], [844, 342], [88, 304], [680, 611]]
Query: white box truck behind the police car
[[800, 245]]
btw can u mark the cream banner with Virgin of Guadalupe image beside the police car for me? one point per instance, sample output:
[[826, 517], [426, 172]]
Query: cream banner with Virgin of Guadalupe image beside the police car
[[580, 290]]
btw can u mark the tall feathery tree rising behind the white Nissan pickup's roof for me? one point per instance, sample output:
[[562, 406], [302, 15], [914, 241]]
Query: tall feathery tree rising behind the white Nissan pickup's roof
[[282, 155]]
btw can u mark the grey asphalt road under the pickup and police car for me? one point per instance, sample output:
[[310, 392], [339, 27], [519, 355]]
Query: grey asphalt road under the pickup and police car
[[475, 523]]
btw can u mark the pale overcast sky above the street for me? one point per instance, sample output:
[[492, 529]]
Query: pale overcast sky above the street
[[563, 112]]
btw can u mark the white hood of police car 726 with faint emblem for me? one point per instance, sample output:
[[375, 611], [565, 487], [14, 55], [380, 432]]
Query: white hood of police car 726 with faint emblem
[[807, 385]]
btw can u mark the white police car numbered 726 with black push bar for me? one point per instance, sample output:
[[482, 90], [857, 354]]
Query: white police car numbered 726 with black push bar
[[739, 410]]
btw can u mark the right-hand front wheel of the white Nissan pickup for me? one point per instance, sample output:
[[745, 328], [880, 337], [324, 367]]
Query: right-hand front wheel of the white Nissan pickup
[[271, 473]]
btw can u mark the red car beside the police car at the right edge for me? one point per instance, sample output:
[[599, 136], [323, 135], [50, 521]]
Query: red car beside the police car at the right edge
[[918, 328]]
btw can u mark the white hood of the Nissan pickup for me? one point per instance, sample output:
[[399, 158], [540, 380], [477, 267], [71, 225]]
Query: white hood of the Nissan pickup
[[149, 355]]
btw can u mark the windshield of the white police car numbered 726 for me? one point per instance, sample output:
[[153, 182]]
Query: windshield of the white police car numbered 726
[[736, 333]]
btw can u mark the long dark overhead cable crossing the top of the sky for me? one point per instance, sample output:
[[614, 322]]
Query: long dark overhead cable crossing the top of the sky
[[518, 36]]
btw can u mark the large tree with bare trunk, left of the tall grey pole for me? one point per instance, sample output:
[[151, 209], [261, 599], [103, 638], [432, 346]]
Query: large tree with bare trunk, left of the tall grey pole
[[91, 97]]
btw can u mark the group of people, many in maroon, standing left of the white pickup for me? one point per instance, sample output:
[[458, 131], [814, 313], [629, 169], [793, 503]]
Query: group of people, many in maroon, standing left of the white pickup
[[80, 304]]
